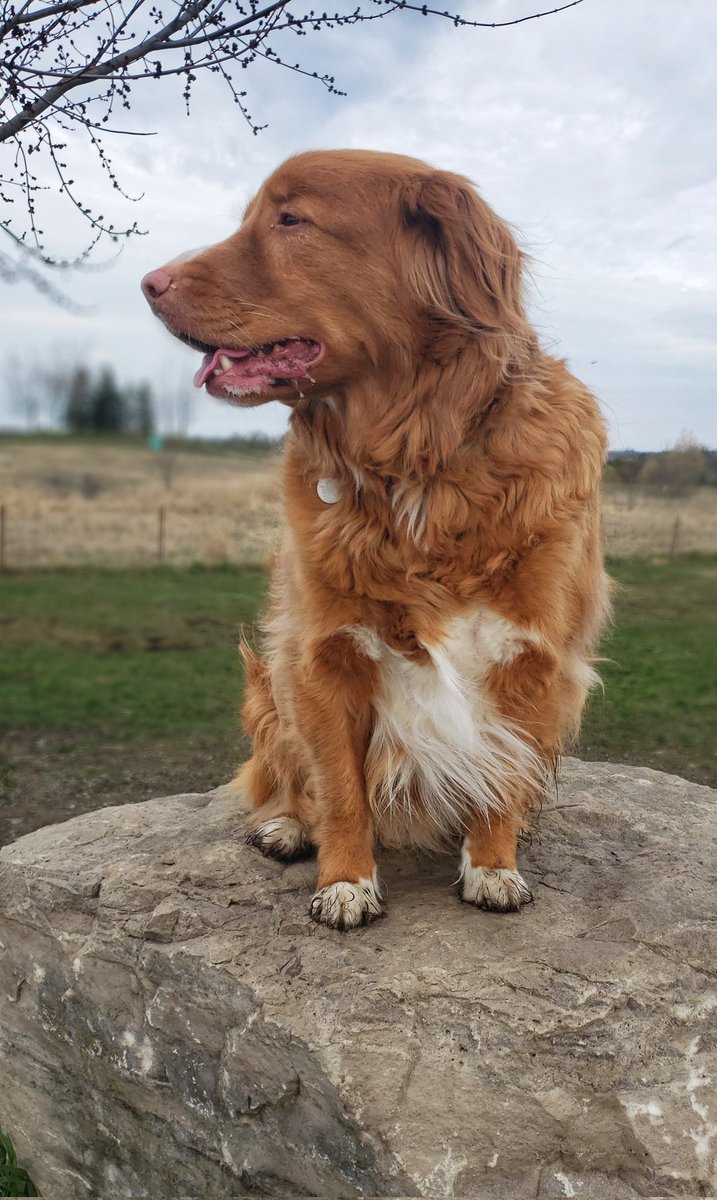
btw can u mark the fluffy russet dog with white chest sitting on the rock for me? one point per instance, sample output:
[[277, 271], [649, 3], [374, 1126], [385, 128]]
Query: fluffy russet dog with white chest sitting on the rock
[[439, 591]]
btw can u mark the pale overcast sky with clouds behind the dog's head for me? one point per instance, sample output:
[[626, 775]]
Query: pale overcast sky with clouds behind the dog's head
[[592, 131]]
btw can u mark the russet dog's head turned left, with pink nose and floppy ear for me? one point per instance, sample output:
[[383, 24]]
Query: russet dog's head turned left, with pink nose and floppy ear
[[347, 265]]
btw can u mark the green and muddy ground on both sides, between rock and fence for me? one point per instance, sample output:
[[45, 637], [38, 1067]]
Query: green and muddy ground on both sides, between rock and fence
[[119, 686]]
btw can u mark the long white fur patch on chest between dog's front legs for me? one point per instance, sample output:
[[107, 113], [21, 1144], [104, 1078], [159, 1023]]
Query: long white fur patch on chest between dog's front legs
[[441, 752]]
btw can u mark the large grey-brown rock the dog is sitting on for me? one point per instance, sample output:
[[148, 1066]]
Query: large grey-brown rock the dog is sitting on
[[173, 1024]]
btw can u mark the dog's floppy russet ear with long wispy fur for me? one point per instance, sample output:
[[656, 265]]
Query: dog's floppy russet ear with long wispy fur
[[465, 263]]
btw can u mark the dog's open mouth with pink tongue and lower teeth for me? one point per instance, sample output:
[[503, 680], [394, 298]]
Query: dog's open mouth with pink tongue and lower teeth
[[269, 365]]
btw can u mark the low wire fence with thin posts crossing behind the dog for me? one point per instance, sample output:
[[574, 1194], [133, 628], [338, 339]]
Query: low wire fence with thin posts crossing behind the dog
[[637, 524]]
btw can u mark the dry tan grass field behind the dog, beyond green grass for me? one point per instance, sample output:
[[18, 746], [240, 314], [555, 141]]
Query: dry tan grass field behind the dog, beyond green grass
[[68, 503]]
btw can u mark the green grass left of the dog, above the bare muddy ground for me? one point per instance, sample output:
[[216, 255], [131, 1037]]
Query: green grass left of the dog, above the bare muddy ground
[[149, 653]]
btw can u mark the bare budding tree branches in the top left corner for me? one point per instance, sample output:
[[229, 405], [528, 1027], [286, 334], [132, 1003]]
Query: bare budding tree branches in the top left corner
[[65, 68]]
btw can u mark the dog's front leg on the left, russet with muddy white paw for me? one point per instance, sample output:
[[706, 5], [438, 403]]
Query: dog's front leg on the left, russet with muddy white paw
[[334, 713]]
